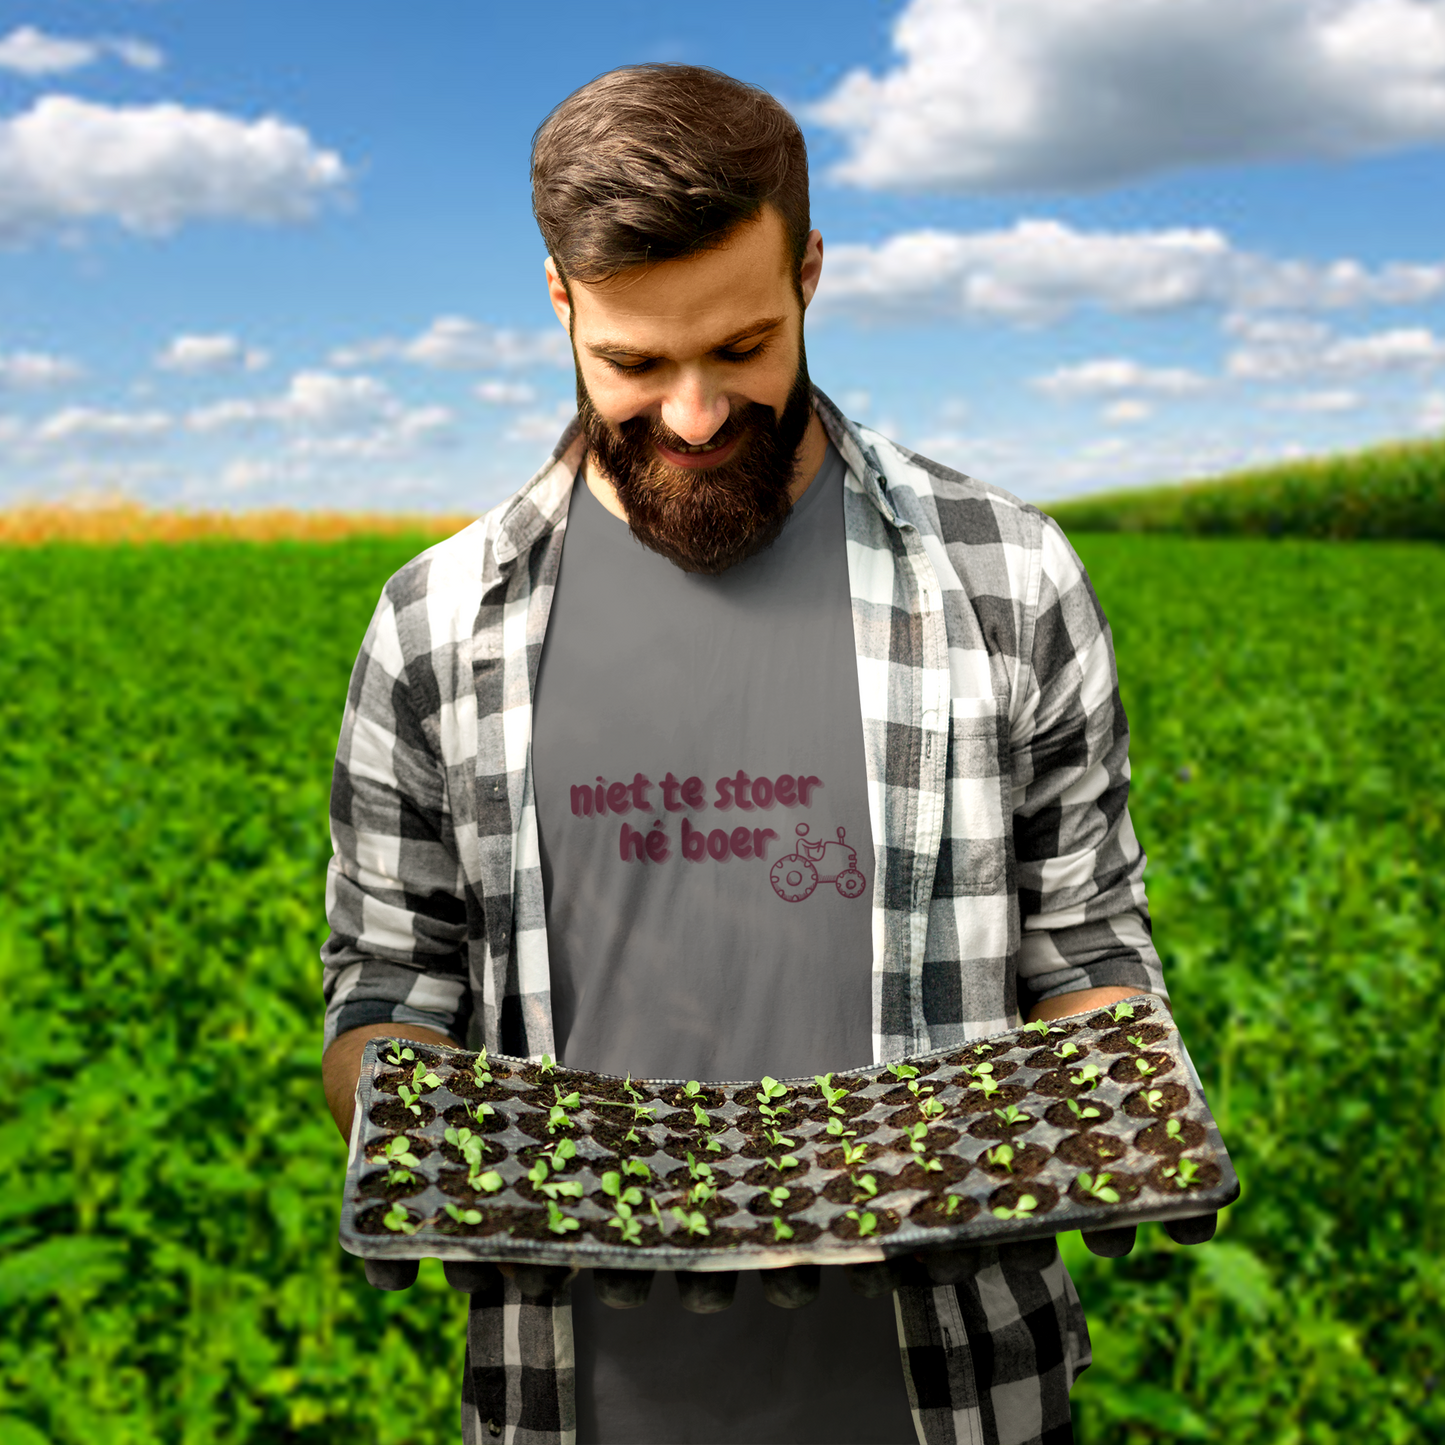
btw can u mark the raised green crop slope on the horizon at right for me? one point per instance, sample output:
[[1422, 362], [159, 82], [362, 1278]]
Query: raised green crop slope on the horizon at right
[[1395, 491]]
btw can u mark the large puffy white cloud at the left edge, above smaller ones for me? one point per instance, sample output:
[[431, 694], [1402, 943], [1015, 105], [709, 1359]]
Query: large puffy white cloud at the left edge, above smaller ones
[[154, 168]]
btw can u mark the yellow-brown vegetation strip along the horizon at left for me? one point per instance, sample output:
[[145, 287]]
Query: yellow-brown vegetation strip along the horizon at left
[[131, 522]]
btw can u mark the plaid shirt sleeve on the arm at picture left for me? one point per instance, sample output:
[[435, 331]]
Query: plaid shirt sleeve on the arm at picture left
[[395, 892]]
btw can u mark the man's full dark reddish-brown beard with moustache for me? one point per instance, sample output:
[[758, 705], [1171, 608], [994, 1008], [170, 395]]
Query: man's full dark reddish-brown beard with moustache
[[704, 519]]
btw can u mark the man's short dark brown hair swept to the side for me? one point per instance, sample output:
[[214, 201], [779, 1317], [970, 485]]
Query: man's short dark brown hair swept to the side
[[655, 163]]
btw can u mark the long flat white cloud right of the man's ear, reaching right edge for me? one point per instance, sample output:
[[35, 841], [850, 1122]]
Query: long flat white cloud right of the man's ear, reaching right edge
[[1043, 271]]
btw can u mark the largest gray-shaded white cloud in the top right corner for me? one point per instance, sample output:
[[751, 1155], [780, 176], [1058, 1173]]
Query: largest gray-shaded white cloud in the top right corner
[[1056, 95]]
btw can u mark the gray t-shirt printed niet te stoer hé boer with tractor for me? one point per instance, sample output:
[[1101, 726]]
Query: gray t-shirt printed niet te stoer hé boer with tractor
[[709, 875]]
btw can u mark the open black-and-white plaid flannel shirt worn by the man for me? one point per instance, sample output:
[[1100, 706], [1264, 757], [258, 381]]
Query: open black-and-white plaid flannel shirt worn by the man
[[998, 761]]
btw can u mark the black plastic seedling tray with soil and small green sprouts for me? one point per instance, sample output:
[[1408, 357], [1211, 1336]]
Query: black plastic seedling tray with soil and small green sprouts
[[1129, 1067]]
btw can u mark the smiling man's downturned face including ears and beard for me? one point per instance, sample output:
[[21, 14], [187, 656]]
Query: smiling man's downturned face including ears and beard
[[693, 391]]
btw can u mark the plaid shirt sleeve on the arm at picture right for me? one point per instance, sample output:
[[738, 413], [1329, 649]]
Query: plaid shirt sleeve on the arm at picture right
[[1082, 894]]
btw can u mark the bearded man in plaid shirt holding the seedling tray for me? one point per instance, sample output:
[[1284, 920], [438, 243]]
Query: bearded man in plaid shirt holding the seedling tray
[[741, 741]]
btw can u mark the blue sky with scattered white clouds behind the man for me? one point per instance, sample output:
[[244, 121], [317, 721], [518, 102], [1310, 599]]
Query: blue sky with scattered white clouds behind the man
[[258, 254]]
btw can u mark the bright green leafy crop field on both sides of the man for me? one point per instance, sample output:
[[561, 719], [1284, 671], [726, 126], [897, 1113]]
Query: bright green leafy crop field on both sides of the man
[[168, 1220]]
